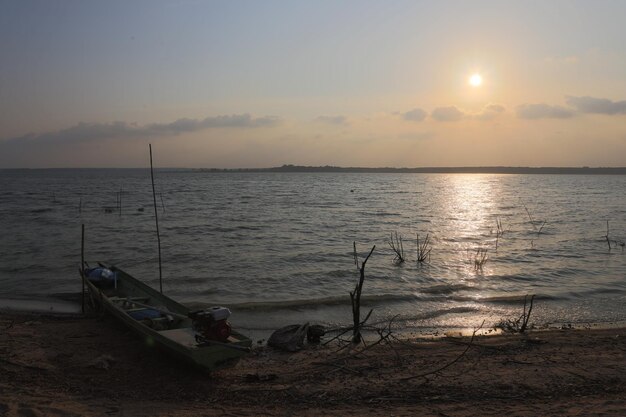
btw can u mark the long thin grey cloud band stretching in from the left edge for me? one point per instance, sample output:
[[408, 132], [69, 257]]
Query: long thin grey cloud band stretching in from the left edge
[[84, 132]]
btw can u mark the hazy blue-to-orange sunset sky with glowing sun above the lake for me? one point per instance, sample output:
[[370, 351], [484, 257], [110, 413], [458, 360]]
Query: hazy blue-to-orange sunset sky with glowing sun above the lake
[[252, 84]]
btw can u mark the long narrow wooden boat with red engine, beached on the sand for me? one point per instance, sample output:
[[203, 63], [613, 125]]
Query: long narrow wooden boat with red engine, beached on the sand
[[163, 322]]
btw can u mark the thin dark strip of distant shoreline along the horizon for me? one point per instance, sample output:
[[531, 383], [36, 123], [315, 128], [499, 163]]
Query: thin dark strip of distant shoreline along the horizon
[[382, 170]]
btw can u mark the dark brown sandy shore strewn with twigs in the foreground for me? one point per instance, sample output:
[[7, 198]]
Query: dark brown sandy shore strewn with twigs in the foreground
[[75, 366]]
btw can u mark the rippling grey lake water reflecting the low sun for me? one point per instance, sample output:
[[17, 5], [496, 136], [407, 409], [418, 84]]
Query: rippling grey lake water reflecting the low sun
[[277, 247]]
